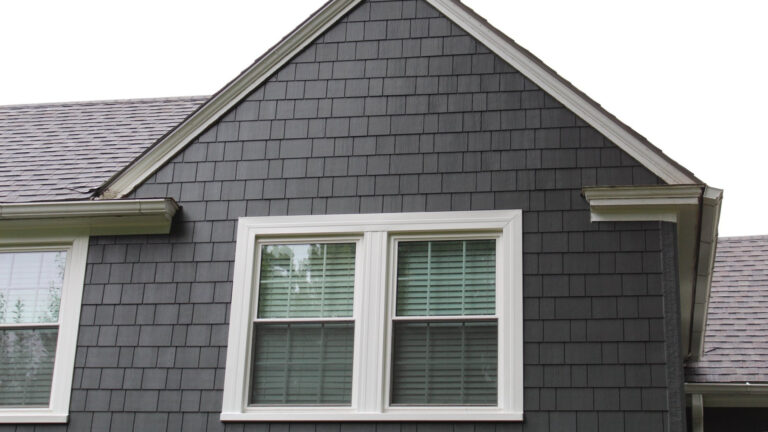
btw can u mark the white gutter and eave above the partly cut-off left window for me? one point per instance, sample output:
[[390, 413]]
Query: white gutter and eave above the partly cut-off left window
[[105, 217]]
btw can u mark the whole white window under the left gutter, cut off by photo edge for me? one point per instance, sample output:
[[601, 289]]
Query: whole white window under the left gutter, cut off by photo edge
[[41, 284]]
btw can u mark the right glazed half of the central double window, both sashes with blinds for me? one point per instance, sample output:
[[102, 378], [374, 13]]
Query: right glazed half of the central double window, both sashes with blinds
[[443, 353]]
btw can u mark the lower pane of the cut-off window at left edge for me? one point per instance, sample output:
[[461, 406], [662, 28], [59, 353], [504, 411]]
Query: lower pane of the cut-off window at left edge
[[26, 366]]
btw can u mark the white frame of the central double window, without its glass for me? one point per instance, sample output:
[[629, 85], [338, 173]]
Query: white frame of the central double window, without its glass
[[370, 375]]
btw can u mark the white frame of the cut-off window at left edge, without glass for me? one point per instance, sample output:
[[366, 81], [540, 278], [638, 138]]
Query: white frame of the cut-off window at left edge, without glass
[[76, 248]]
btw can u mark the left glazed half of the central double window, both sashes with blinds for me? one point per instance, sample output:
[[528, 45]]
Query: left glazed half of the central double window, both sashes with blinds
[[307, 361]]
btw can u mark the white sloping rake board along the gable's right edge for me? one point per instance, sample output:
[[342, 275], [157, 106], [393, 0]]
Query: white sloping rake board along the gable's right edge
[[572, 99]]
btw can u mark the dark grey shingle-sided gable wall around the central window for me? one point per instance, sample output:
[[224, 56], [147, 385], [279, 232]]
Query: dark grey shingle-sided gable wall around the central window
[[394, 109]]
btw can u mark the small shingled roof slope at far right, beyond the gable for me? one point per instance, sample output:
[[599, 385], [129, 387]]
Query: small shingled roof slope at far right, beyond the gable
[[736, 338]]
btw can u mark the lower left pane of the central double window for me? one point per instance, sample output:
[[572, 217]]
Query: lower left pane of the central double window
[[302, 363]]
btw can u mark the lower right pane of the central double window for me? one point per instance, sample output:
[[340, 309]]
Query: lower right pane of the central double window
[[444, 363]]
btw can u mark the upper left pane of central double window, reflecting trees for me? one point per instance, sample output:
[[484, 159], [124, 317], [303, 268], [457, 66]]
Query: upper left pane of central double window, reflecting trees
[[307, 280]]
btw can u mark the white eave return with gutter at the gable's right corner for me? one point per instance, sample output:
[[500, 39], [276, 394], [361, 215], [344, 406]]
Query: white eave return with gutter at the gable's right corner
[[696, 211]]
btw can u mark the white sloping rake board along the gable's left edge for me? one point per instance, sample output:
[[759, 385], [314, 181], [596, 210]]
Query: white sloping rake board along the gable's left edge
[[159, 154]]
